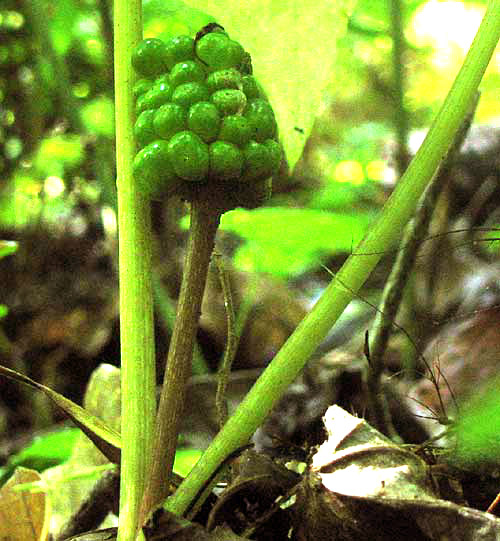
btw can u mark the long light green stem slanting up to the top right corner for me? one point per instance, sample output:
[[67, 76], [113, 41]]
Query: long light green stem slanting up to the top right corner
[[294, 354]]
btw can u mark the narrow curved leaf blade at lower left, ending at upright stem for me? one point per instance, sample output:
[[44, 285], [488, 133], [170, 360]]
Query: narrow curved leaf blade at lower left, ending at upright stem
[[106, 439]]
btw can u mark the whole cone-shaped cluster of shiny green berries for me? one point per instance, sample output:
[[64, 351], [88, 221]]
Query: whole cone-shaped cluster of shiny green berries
[[201, 117]]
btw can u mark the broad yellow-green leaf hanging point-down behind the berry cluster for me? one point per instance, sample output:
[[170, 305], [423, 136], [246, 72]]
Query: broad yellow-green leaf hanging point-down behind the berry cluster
[[292, 45]]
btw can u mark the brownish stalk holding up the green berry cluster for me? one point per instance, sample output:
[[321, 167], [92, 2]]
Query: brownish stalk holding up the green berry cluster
[[204, 222]]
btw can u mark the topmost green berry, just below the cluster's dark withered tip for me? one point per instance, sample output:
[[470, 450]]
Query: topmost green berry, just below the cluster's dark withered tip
[[219, 52]]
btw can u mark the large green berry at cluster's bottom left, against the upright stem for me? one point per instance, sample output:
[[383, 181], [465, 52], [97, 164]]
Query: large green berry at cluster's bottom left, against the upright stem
[[153, 171]]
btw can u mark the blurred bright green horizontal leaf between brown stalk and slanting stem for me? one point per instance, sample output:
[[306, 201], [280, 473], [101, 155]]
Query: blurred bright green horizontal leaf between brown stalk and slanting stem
[[286, 242]]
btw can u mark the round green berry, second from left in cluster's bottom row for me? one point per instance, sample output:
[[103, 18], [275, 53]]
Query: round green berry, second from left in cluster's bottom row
[[189, 156]]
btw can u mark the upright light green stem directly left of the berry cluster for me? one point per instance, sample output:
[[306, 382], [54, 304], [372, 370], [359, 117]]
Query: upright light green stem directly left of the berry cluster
[[136, 302]]
